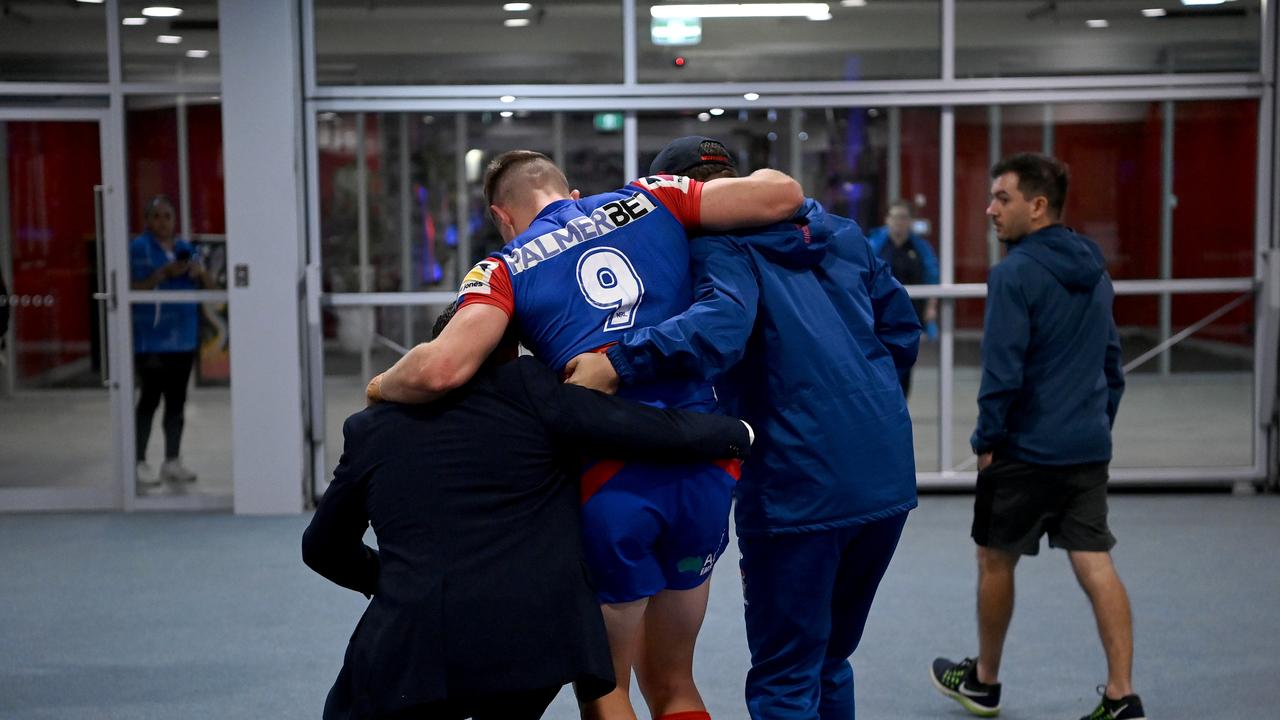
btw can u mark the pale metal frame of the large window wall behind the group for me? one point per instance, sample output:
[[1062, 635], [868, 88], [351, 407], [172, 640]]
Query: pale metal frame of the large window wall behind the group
[[947, 93]]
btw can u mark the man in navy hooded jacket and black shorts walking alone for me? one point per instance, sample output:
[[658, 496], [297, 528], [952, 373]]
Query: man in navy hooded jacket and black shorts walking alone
[[1052, 384]]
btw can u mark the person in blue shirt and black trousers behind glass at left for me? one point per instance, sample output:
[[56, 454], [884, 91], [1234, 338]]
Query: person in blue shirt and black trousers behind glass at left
[[164, 339]]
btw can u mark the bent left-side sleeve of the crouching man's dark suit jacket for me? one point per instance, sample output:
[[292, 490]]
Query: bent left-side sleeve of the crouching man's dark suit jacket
[[333, 544]]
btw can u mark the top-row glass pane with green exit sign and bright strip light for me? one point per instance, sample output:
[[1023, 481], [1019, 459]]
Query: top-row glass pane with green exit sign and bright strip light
[[853, 40]]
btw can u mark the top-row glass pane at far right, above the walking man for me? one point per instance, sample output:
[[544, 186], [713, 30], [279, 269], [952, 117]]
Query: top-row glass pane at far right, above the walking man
[[1032, 38]]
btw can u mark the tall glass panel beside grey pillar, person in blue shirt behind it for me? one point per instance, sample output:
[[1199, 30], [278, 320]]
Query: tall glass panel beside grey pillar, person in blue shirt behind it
[[181, 352]]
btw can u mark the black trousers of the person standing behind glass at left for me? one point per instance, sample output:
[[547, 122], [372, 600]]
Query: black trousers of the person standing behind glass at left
[[162, 375]]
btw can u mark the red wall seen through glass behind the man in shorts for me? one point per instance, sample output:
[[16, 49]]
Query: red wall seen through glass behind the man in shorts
[[1116, 200]]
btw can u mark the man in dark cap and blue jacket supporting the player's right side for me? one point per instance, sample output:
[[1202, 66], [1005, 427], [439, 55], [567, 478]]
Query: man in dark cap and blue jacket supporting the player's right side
[[803, 331]]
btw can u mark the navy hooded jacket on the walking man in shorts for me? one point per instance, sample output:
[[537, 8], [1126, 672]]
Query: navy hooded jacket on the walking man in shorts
[[1052, 376]]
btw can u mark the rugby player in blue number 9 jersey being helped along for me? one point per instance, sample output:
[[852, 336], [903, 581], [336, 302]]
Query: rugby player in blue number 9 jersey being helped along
[[575, 274]]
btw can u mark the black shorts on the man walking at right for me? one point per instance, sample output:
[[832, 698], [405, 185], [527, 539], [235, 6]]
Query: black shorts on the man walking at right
[[1018, 503]]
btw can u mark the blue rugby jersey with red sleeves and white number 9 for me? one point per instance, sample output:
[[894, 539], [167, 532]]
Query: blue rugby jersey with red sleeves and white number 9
[[591, 270]]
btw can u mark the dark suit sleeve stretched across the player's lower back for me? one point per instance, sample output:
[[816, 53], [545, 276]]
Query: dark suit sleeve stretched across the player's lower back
[[587, 421]]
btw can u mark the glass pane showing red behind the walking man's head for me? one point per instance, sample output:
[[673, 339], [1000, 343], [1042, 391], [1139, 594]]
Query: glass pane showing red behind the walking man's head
[[1114, 154]]
